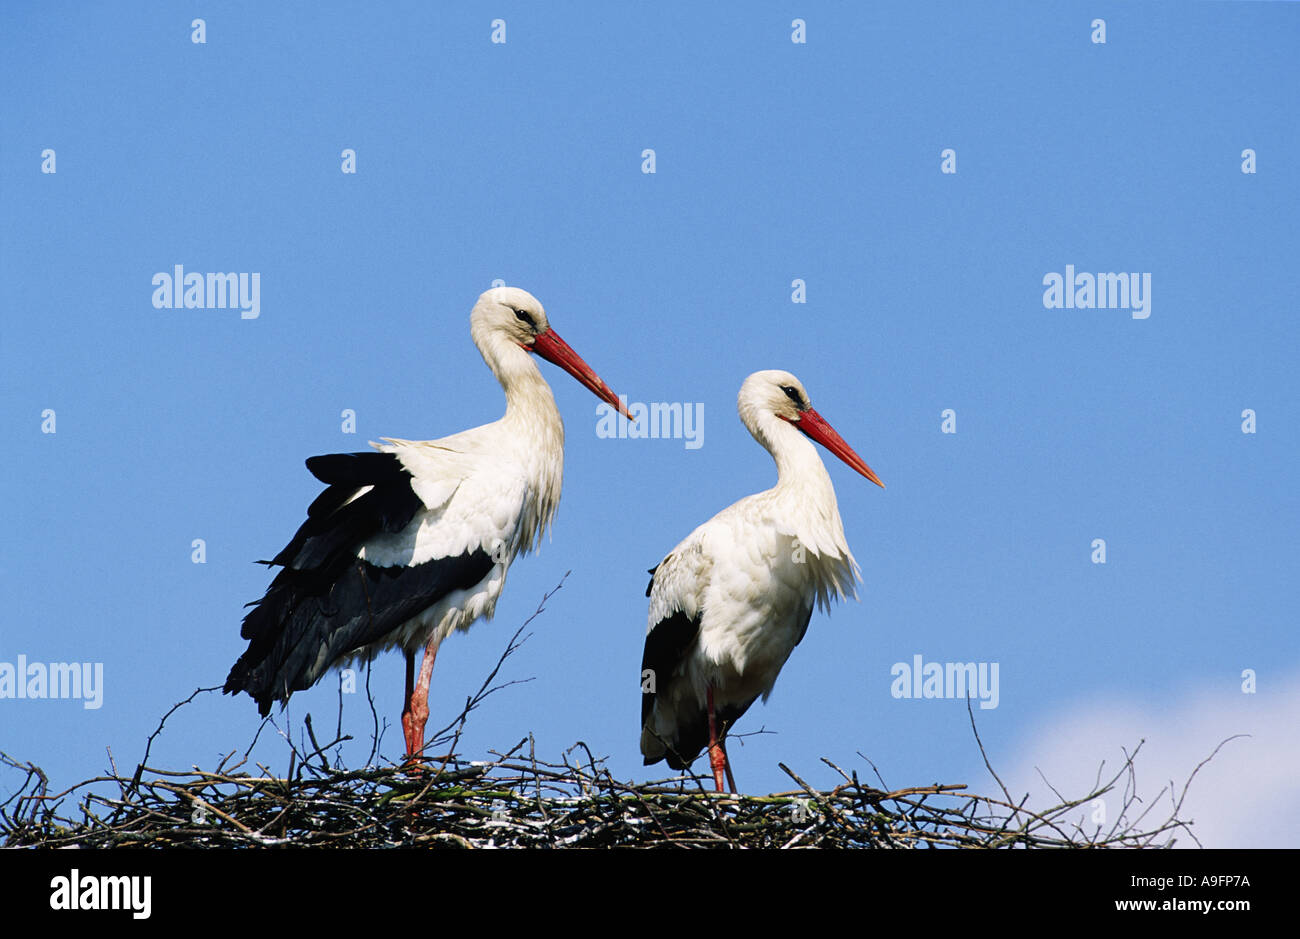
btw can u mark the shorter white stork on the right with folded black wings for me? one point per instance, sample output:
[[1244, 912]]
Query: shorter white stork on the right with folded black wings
[[731, 603]]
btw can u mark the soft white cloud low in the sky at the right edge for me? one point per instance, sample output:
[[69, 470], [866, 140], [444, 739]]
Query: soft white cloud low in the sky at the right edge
[[1249, 797]]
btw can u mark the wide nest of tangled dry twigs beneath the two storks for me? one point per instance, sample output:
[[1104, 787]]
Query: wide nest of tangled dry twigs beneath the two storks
[[518, 802]]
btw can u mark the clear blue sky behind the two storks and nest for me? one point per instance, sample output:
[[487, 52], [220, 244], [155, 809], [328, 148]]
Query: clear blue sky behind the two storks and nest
[[774, 162]]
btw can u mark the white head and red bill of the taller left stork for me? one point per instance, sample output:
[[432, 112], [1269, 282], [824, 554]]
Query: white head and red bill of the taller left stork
[[509, 317]]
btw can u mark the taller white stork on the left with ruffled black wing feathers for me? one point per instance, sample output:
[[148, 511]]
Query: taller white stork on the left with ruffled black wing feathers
[[413, 543]]
